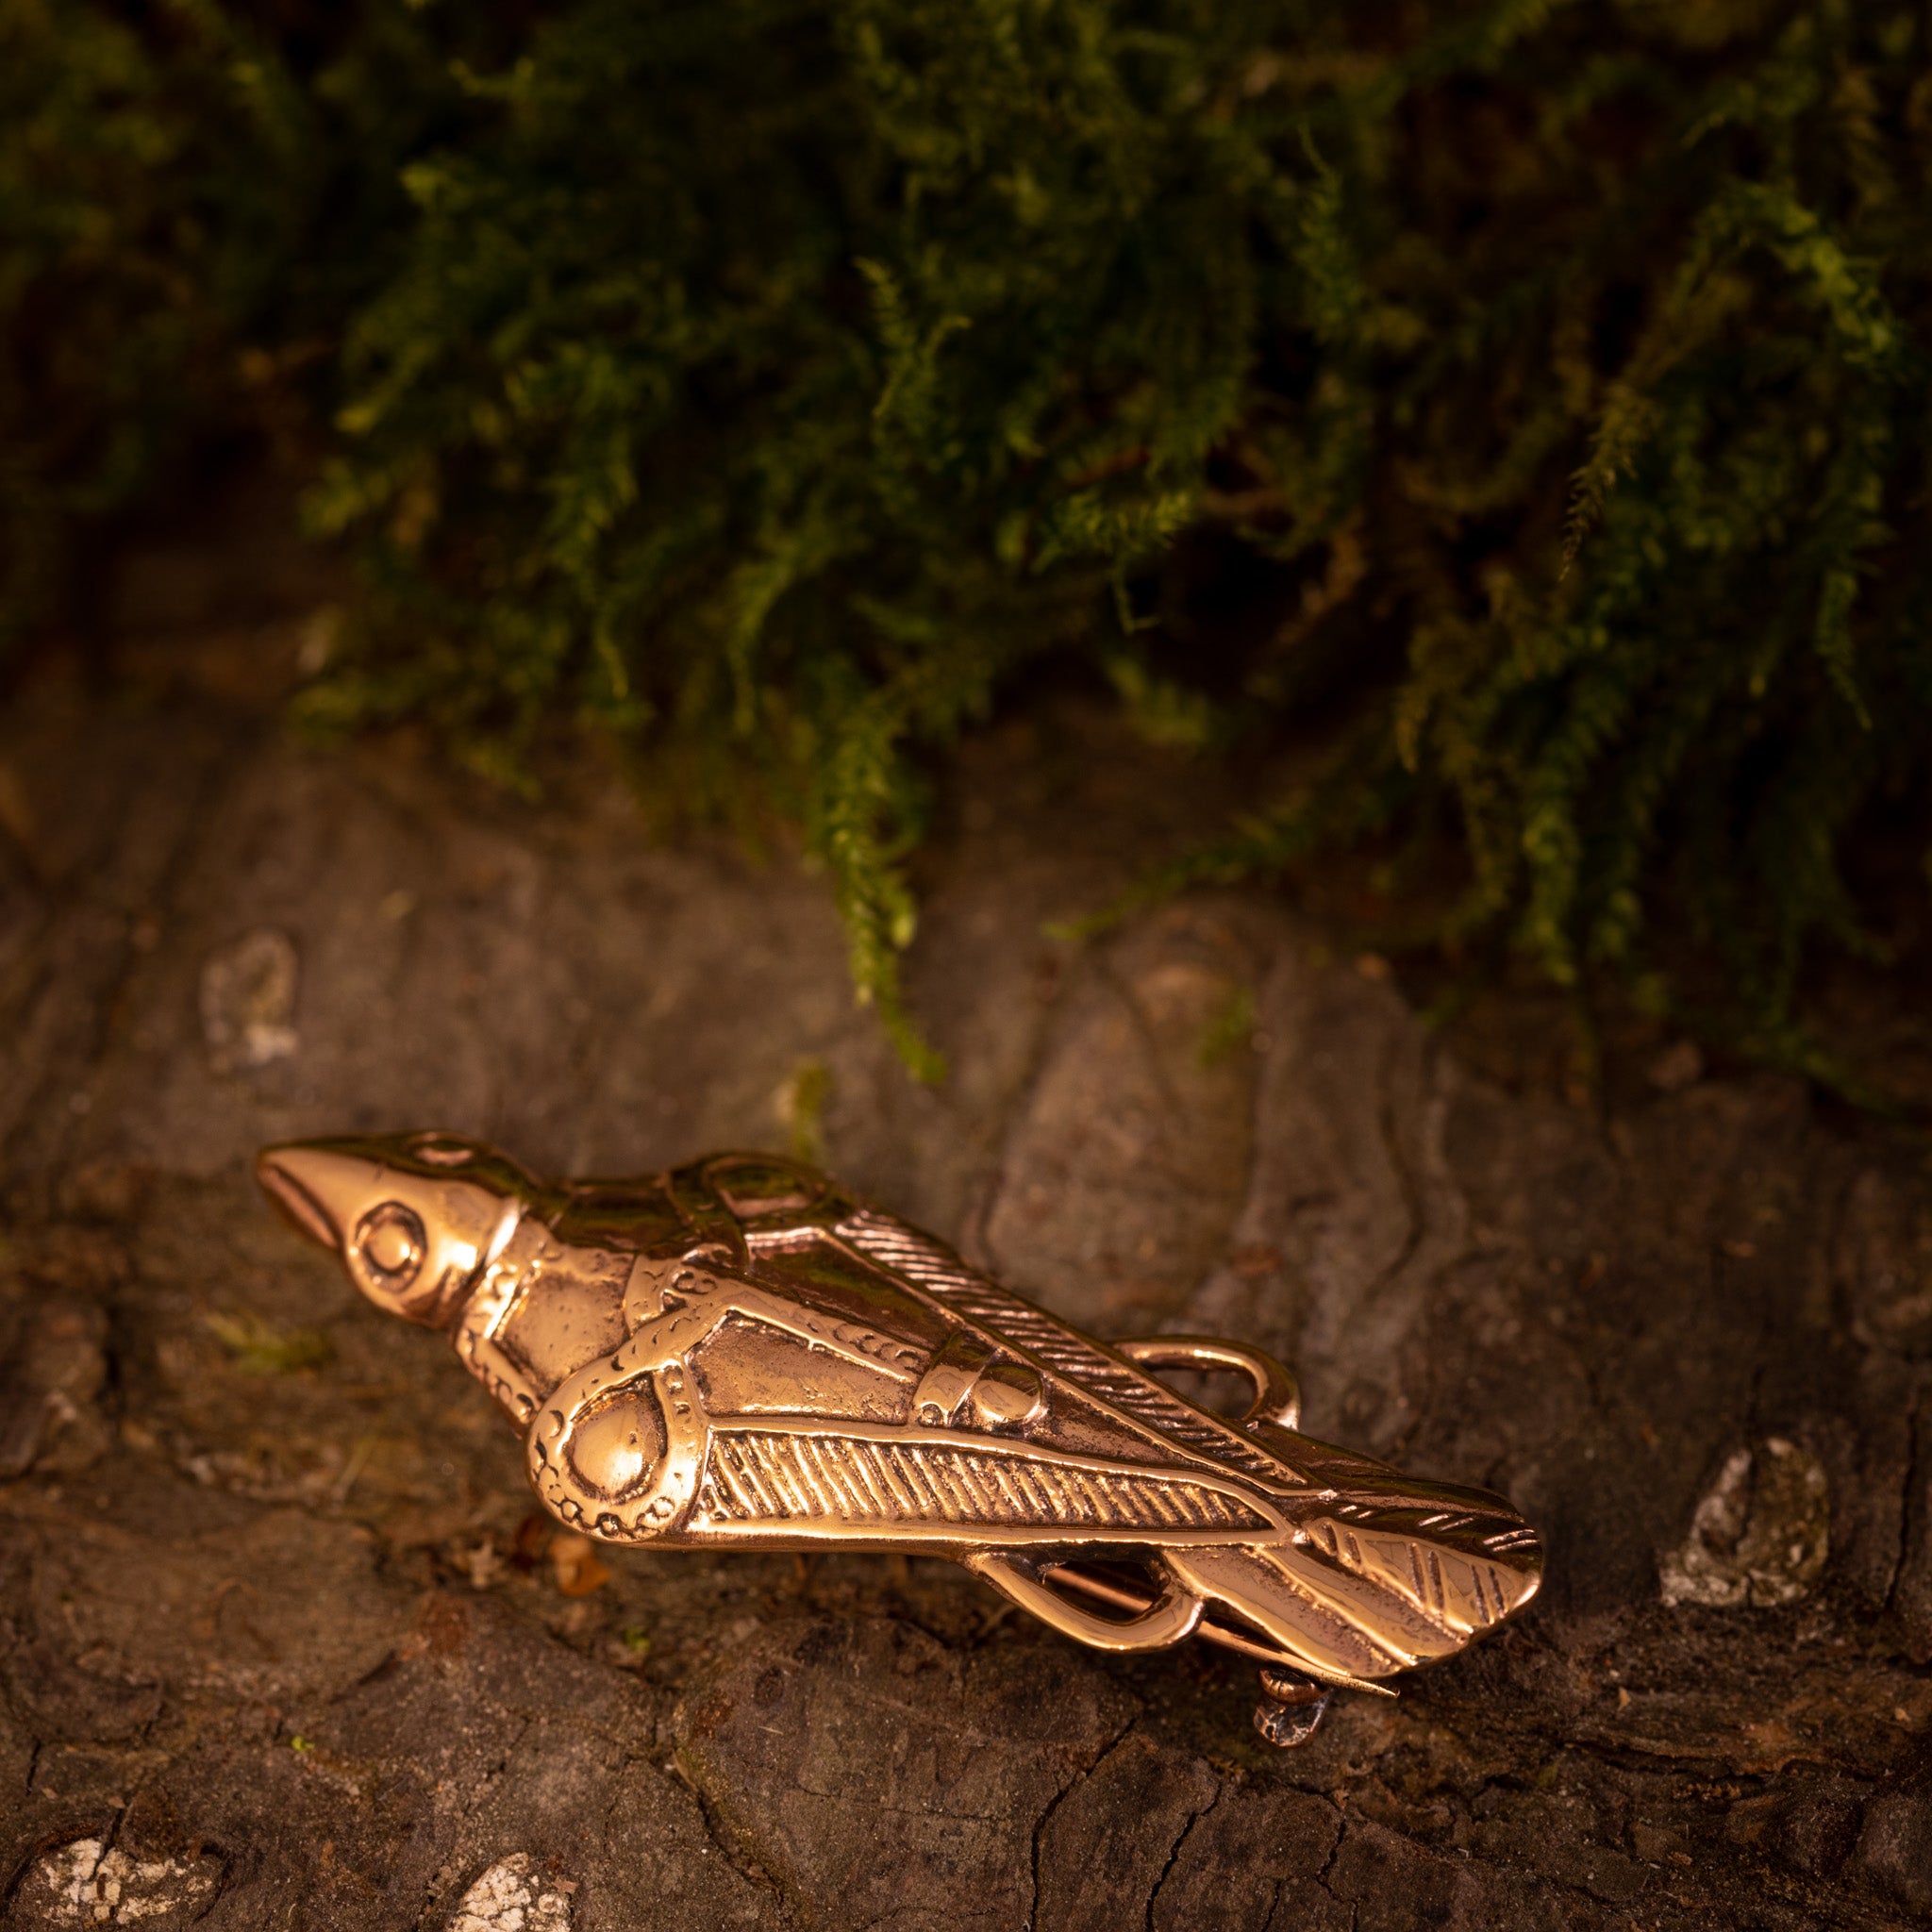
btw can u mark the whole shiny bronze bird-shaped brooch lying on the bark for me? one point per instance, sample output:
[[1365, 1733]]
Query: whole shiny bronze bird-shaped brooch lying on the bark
[[743, 1355]]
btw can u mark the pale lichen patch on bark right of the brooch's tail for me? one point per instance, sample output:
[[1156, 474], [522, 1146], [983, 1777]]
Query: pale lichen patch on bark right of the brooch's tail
[[1761, 1533]]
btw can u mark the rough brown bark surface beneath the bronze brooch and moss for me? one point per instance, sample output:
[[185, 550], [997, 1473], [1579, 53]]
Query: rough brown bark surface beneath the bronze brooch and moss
[[283, 1647]]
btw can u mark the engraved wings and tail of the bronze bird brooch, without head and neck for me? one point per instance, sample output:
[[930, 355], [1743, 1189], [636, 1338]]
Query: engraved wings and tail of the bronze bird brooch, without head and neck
[[845, 1378]]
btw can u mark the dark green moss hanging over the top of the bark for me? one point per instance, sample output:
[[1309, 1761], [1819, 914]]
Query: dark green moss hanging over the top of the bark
[[1541, 389]]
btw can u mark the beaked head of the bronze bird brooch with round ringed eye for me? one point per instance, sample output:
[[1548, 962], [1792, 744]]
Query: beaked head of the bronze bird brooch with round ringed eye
[[416, 1218]]
